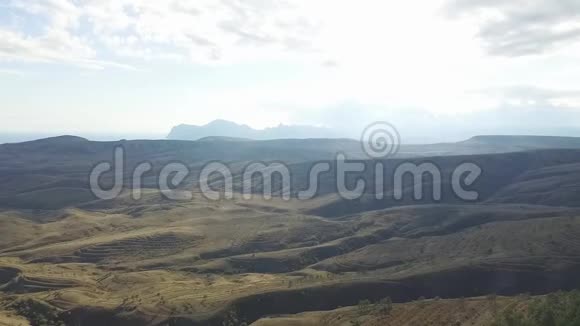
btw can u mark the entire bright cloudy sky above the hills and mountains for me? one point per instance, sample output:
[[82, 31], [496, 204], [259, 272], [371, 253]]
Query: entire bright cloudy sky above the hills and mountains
[[437, 67]]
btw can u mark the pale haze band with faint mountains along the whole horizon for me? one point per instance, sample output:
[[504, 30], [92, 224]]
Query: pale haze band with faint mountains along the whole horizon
[[414, 129]]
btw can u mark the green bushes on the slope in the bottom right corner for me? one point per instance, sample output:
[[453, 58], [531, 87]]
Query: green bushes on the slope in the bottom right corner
[[558, 309]]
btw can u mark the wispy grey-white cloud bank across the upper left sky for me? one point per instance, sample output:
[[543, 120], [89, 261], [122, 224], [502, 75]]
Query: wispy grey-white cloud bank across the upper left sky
[[203, 31]]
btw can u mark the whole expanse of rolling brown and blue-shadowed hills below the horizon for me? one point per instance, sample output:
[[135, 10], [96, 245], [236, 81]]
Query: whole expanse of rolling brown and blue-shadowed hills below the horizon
[[71, 259]]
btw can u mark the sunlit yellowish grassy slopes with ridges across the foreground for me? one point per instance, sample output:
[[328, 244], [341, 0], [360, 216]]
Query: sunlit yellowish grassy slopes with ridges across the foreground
[[191, 261]]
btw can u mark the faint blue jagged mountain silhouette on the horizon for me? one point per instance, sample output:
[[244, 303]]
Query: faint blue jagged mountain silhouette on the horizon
[[224, 128]]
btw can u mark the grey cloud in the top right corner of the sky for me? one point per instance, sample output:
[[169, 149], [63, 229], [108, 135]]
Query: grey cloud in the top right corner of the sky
[[519, 28]]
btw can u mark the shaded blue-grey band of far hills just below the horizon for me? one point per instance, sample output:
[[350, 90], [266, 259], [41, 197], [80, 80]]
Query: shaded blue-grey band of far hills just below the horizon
[[52, 173]]
